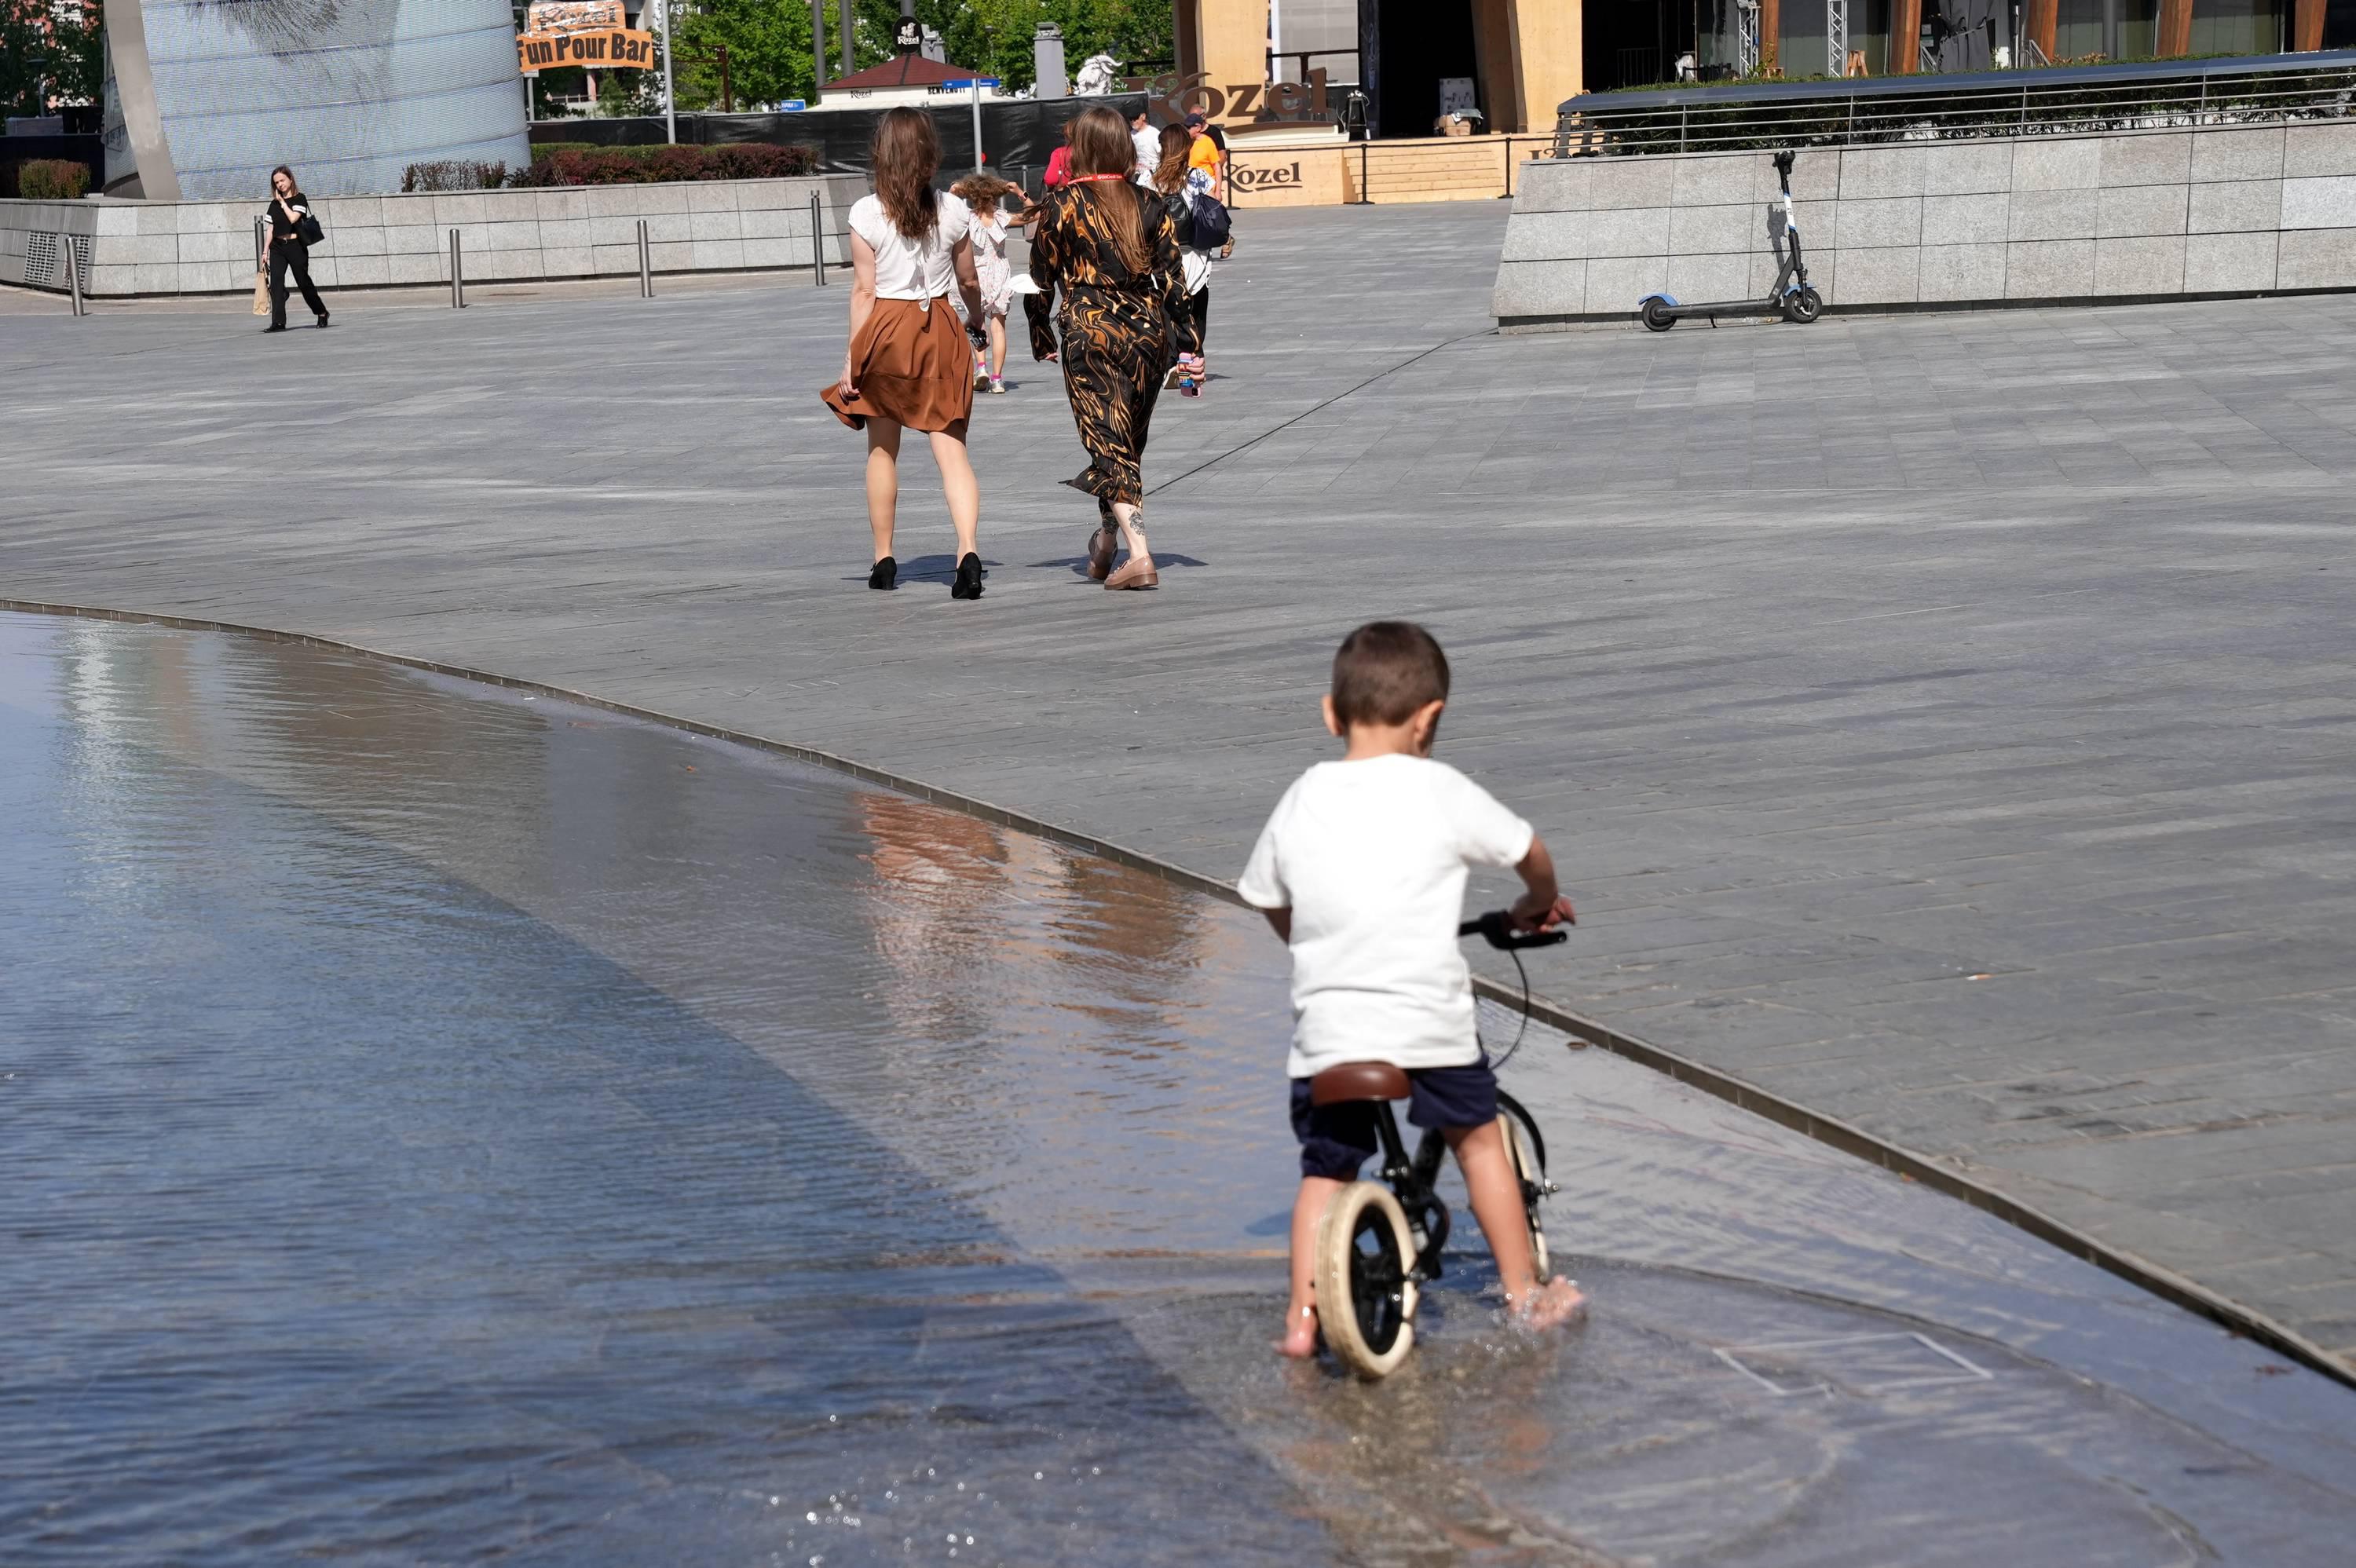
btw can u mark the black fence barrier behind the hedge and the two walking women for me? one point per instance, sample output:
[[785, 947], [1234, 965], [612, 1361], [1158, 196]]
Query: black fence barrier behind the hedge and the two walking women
[[1017, 138]]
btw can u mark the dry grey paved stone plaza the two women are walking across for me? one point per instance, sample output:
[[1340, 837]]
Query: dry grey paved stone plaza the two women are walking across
[[1943, 719]]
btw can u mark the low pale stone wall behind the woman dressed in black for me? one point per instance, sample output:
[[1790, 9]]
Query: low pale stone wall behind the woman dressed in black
[[385, 241]]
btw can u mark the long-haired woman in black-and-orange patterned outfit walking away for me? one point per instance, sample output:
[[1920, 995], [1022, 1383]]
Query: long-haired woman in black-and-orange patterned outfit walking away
[[1111, 248]]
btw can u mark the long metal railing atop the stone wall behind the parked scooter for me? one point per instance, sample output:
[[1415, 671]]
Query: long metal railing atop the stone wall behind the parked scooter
[[2053, 102]]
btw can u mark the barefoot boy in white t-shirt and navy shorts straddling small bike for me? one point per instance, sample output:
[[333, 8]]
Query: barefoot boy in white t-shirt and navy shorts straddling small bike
[[1363, 872]]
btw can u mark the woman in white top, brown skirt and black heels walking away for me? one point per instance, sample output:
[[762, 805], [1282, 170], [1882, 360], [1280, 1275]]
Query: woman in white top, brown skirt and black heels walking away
[[911, 364]]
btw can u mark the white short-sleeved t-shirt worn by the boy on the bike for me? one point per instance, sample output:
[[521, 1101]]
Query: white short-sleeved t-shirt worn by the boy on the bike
[[1372, 861]]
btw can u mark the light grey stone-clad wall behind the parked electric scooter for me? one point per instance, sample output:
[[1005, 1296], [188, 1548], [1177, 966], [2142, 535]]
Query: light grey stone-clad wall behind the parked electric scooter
[[2023, 220]]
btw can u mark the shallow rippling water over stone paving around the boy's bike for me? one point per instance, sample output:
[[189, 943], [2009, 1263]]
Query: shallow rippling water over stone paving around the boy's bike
[[444, 1127]]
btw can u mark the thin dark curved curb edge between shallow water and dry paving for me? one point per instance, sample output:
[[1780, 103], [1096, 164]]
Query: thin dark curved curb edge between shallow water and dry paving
[[1844, 1136]]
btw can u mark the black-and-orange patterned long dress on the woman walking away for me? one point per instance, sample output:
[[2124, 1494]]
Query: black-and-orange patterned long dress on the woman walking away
[[1120, 328]]
